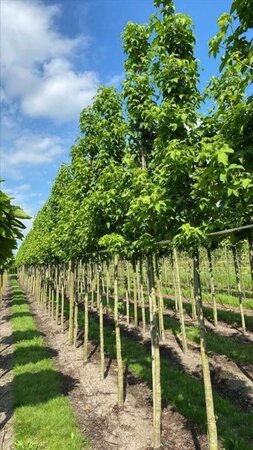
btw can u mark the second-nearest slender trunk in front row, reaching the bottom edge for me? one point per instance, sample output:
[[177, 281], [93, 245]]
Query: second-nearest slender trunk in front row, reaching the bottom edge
[[155, 352]]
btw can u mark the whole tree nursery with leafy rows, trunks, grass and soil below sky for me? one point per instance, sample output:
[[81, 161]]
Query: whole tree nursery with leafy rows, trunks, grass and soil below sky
[[127, 313]]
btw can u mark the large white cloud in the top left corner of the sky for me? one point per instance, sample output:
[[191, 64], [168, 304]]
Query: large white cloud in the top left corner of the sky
[[37, 68]]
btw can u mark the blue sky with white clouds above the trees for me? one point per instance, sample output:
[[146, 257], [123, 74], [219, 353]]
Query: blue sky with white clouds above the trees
[[54, 55]]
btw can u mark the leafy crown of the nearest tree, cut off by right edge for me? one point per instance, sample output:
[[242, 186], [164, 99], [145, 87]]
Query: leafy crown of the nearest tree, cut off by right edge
[[232, 114]]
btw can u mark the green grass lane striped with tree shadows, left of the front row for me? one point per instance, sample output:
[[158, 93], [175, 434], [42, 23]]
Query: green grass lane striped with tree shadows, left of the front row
[[43, 417]]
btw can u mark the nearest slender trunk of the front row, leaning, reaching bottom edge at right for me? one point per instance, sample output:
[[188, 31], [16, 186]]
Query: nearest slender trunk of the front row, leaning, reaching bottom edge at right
[[211, 422]]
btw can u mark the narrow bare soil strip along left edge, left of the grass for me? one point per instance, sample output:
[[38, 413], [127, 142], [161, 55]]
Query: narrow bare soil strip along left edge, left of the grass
[[6, 376]]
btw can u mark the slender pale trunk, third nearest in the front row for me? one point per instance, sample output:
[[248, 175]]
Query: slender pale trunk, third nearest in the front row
[[117, 334]]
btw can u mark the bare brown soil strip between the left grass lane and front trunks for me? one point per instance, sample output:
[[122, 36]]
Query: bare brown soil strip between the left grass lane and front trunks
[[94, 401]]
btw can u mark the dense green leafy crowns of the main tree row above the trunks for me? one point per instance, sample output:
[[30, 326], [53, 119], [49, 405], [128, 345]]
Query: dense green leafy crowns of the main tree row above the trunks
[[147, 166]]
